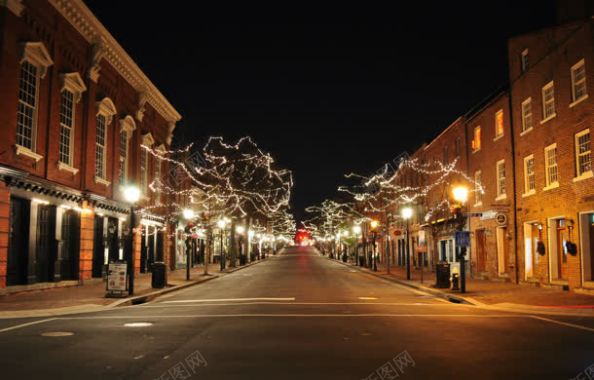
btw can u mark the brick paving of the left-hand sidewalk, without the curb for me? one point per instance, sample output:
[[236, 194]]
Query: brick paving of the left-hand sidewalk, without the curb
[[93, 293]]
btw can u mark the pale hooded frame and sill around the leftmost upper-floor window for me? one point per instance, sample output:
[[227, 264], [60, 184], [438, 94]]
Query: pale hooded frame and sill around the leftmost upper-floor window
[[36, 55]]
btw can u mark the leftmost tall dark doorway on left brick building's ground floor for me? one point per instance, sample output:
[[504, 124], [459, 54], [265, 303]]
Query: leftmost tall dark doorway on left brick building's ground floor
[[18, 242]]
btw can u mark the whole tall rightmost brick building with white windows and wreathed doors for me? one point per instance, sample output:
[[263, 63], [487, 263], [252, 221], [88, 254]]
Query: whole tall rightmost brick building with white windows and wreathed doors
[[551, 76]]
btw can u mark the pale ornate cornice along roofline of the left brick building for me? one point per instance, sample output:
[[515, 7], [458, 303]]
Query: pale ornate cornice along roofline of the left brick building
[[83, 20]]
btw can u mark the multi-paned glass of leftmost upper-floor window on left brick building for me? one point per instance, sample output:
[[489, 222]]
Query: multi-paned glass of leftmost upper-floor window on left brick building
[[27, 109]]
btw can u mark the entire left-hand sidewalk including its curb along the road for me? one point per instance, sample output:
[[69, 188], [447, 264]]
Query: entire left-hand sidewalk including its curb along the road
[[91, 296]]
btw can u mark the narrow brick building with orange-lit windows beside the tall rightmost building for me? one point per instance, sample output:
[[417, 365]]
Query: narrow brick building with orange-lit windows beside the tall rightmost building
[[491, 203]]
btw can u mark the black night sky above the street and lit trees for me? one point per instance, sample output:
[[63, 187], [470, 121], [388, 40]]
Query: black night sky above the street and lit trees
[[326, 90]]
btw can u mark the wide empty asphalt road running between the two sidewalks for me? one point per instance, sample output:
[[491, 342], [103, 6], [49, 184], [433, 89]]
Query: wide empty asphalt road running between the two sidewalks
[[297, 315]]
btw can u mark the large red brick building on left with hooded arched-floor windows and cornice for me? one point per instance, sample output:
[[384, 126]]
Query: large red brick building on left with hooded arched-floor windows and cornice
[[75, 110]]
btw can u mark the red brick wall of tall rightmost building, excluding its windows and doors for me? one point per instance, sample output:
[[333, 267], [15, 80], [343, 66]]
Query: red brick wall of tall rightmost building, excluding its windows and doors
[[552, 61]]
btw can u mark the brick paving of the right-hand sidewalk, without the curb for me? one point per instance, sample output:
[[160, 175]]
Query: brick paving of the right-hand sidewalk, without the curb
[[496, 292]]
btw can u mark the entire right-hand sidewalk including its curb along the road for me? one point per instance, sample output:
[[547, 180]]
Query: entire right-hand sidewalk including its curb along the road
[[496, 295]]
